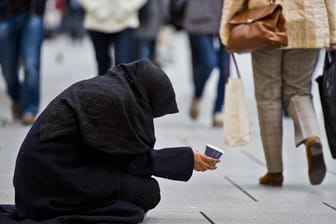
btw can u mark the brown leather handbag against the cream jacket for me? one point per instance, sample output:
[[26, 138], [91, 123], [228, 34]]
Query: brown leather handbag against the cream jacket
[[262, 28]]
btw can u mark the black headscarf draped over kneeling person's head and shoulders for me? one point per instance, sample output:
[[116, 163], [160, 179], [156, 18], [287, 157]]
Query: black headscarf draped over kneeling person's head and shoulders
[[114, 112]]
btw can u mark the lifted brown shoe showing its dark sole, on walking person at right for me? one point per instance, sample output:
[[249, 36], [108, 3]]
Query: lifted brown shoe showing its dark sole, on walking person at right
[[316, 165]]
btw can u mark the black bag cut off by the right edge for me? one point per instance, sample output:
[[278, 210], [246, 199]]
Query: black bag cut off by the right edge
[[327, 89]]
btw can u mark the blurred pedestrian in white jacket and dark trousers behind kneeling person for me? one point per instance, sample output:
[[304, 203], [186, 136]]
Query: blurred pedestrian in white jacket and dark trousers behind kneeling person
[[112, 23]]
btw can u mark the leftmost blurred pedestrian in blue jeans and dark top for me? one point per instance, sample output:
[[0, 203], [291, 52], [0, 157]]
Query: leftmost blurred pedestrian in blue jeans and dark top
[[21, 36]]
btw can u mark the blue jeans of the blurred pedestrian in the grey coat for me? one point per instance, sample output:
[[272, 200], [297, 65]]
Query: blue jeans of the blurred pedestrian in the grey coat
[[206, 56]]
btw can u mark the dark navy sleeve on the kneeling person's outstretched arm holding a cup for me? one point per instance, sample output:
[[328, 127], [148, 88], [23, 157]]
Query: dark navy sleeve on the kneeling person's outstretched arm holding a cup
[[171, 163]]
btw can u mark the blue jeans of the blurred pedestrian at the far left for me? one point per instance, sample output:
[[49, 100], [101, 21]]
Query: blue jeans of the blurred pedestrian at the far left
[[21, 37]]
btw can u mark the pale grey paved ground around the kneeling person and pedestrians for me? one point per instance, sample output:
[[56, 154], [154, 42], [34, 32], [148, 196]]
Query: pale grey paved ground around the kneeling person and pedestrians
[[229, 195]]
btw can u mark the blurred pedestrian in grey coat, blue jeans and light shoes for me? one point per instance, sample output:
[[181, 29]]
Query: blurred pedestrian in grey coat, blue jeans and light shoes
[[202, 21]]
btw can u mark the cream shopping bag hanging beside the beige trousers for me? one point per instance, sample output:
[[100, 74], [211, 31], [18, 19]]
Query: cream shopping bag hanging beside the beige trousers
[[236, 126]]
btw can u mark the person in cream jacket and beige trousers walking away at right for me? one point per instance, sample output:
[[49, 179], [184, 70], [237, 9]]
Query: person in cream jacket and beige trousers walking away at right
[[284, 77]]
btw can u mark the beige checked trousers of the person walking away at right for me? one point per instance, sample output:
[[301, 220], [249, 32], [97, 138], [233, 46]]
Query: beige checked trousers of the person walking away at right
[[284, 77]]
